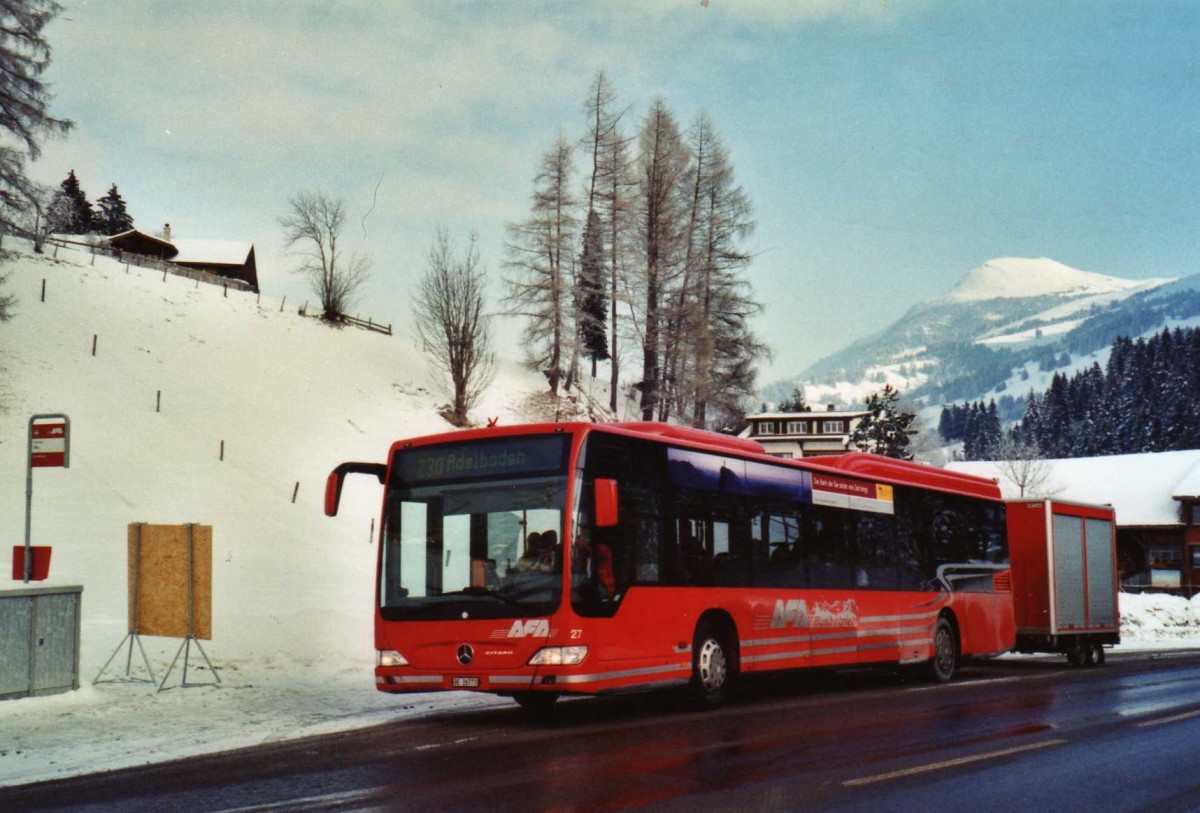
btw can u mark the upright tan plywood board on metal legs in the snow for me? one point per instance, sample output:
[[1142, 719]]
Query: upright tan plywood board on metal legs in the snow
[[159, 591]]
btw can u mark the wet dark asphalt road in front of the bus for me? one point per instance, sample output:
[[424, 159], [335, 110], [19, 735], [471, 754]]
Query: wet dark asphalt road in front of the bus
[[1009, 736]]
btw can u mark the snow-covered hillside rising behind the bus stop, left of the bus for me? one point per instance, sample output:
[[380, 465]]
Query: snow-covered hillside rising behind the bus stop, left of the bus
[[287, 396]]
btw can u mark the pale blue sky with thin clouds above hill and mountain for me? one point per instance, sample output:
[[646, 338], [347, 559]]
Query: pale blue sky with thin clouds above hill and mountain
[[889, 148]]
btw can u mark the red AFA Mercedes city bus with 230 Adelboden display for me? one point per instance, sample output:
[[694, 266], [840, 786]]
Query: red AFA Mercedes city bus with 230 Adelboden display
[[543, 561]]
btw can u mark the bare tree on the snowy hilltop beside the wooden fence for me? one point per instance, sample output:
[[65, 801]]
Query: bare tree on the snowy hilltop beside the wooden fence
[[311, 231]]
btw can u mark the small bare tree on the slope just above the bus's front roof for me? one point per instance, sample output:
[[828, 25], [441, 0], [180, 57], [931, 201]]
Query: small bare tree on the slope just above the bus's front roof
[[452, 324]]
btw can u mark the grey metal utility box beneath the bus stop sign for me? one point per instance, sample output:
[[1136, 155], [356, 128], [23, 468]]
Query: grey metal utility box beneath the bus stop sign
[[39, 641]]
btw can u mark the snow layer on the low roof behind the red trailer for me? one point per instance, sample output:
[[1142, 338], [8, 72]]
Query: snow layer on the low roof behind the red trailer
[[1143, 489]]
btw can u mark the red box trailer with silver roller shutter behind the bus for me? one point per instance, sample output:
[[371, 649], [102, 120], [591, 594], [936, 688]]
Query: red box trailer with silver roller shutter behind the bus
[[1065, 579]]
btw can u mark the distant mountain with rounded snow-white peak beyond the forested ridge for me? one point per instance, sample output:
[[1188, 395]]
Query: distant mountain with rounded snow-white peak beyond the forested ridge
[[1001, 332]]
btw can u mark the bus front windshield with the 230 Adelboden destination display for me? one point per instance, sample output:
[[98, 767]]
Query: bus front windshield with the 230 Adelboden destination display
[[475, 529]]
